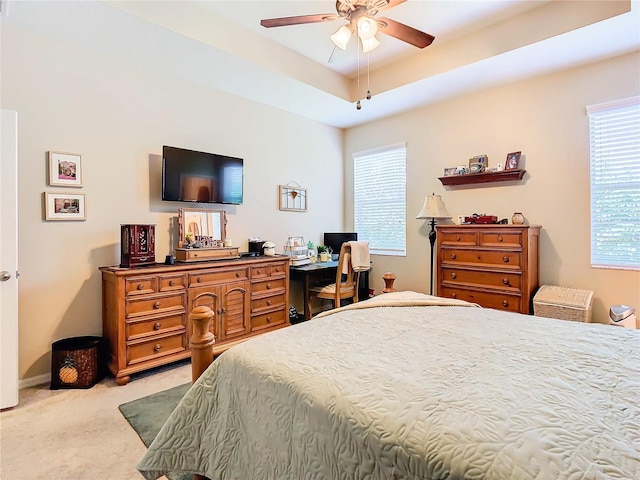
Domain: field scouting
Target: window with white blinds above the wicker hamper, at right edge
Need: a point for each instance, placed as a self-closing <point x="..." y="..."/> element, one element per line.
<point x="614" y="132"/>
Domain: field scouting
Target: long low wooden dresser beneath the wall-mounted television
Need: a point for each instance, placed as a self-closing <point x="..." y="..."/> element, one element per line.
<point x="145" y="311"/>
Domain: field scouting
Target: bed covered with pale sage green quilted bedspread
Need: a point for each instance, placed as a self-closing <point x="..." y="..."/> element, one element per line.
<point x="410" y="386"/>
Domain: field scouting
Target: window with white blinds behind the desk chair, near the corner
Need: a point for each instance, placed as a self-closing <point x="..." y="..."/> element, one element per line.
<point x="380" y="186"/>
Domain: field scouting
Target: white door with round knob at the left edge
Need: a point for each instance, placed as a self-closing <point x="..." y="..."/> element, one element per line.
<point x="9" y="260"/>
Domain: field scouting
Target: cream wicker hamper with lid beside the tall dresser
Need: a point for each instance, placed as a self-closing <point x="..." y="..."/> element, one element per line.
<point x="563" y="303"/>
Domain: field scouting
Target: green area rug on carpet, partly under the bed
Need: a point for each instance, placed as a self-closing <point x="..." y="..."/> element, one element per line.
<point x="146" y="415"/>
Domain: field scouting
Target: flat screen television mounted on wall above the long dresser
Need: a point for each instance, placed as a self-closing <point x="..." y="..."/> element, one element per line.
<point x="191" y="176"/>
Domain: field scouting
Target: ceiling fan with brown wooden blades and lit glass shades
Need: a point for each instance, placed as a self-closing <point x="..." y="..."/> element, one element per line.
<point x="360" y="15"/>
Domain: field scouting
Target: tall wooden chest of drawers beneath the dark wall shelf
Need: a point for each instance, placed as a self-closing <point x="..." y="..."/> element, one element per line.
<point x="495" y="266"/>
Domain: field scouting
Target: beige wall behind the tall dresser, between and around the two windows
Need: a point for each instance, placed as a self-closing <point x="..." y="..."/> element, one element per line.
<point x="543" y="117"/>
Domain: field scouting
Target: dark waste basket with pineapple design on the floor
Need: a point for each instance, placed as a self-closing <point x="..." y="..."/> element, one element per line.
<point x="76" y="362"/>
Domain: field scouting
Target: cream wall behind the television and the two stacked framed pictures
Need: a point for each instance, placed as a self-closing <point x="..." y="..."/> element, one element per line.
<point x="117" y="114"/>
